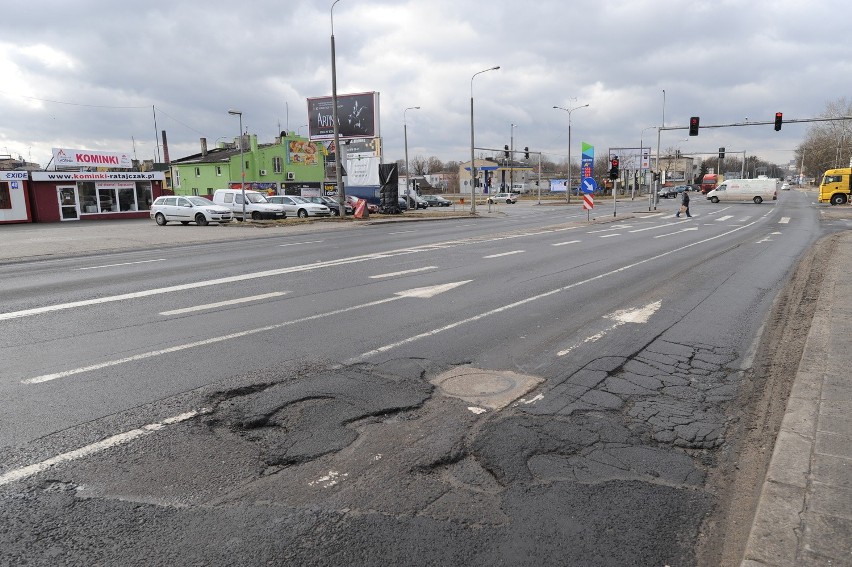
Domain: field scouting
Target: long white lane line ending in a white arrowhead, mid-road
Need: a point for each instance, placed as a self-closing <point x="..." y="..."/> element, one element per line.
<point x="424" y="292"/>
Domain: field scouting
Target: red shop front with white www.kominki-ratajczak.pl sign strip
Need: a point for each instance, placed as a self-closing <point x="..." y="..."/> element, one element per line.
<point x="71" y="196"/>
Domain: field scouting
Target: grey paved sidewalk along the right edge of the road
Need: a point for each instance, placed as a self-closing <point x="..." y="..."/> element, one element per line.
<point x="804" y="517"/>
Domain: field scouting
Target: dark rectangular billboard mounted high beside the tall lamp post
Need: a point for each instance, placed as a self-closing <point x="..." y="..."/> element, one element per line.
<point x="358" y="116"/>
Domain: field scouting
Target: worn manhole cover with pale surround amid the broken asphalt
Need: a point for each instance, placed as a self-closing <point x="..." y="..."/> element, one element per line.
<point x="488" y="388"/>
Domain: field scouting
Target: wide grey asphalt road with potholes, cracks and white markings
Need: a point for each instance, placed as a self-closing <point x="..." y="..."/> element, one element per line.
<point x="521" y="389"/>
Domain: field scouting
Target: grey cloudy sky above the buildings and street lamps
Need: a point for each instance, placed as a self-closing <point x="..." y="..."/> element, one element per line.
<point x="94" y="74"/>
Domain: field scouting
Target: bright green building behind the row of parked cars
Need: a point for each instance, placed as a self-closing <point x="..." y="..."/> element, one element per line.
<point x="292" y="165"/>
